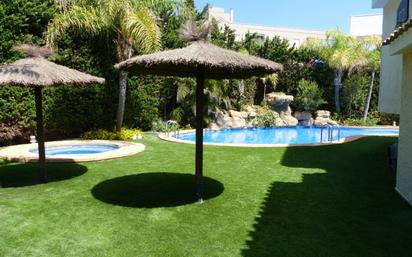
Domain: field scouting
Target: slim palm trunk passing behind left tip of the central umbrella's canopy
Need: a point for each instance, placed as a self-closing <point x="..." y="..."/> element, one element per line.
<point x="124" y="52"/>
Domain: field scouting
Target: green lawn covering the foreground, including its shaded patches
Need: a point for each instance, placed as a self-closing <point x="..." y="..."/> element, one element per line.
<point x="313" y="201"/>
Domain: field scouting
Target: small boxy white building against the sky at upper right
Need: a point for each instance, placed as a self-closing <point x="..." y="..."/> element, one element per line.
<point x="366" y="25"/>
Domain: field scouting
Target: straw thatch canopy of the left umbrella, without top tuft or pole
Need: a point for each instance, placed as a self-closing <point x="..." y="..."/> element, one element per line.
<point x="39" y="72"/>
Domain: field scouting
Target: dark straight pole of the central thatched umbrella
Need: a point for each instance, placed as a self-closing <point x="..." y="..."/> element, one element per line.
<point x="200" y="80"/>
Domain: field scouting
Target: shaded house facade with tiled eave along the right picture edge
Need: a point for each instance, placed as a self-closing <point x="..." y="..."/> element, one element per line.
<point x="396" y="82"/>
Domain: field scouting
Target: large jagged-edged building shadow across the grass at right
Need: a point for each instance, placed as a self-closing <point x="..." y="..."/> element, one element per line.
<point x="345" y="206"/>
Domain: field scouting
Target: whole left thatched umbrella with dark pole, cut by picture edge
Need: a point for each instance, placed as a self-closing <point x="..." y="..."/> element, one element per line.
<point x="37" y="72"/>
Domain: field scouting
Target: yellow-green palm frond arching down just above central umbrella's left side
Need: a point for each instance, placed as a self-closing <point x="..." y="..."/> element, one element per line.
<point x="142" y="30"/>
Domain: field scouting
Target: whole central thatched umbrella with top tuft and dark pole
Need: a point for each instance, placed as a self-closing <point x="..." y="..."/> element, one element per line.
<point x="201" y="60"/>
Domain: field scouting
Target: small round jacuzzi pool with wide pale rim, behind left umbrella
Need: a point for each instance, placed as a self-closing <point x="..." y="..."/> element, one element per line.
<point x="73" y="151"/>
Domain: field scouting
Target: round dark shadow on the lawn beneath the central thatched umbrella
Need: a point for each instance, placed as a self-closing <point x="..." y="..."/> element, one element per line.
<point x="152" y="190"/>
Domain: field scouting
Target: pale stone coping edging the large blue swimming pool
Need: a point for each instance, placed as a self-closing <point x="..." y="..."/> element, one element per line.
<point x="170" y="138"/>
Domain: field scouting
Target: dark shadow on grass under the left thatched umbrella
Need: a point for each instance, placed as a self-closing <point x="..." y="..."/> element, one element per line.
<point x="27" y="174"/>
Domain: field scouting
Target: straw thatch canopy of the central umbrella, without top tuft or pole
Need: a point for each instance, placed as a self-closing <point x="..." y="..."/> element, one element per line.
<point x="217" y="63"/>
